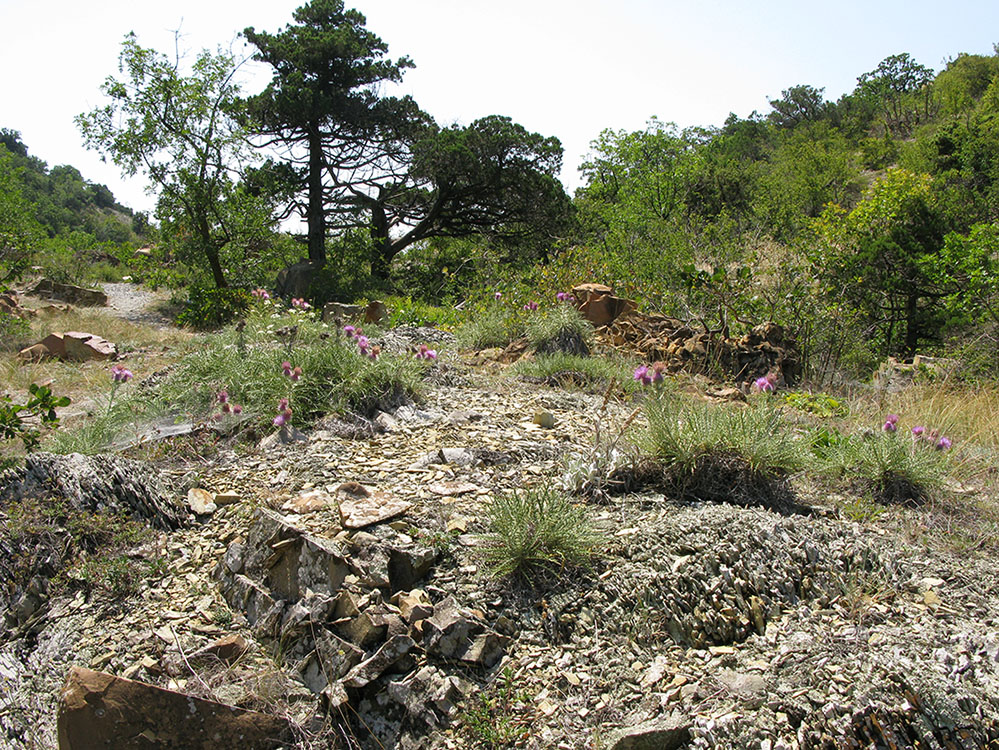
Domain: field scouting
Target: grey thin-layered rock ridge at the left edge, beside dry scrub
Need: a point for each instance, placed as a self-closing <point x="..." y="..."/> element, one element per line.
<point x="97" y="483"/>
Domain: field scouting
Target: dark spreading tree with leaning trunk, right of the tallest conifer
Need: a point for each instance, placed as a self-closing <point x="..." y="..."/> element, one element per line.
<point x="491" y="178"/>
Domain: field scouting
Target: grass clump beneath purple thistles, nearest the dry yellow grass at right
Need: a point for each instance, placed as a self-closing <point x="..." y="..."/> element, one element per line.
<point x="893" y="468"/>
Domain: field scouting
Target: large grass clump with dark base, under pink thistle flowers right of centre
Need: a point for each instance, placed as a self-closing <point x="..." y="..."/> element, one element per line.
<point x="722" y="453"/>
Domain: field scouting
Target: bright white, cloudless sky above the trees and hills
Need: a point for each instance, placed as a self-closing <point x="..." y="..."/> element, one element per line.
<point x="567" y="69"/>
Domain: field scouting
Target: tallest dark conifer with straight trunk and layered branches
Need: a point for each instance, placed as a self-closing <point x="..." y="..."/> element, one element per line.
<point x="322" y="106"/>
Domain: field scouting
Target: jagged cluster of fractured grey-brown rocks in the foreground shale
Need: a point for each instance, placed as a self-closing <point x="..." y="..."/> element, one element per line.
<point x="347" y="617"/>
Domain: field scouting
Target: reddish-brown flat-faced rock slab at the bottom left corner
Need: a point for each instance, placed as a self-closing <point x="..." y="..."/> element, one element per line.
<point x="99" y="710"/>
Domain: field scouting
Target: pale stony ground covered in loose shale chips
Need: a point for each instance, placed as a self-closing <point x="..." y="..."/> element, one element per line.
<point x="745" y="627"/>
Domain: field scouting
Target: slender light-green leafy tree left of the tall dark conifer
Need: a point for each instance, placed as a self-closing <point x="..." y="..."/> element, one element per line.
<point x="182" y="132"/>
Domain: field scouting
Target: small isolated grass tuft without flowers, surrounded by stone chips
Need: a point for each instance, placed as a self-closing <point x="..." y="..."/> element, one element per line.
<point x="536" y="531"/>
